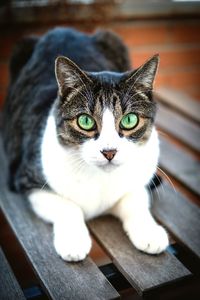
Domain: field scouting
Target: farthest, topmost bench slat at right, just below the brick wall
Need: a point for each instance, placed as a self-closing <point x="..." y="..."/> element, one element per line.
<point x="180" y="101"/>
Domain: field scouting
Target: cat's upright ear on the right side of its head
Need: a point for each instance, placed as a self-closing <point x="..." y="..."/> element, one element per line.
<point x="144" y="76"/>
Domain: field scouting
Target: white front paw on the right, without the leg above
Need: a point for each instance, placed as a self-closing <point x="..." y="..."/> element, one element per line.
<point x="149" y="239"/>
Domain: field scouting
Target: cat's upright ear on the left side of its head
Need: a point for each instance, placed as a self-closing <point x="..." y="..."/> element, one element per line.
<point x="69" y="76"/>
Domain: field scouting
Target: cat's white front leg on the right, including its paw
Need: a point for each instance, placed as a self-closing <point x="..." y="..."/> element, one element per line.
<point x="138" y="223"/>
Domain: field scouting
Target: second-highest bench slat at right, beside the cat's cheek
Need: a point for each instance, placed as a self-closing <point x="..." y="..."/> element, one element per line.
<point x="178" y="126"/>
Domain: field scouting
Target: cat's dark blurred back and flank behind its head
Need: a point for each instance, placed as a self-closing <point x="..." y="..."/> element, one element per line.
<point x="33" y="91"/>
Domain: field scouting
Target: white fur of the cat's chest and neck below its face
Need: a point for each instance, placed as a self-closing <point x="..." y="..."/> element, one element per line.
<point x="93" y="189"/>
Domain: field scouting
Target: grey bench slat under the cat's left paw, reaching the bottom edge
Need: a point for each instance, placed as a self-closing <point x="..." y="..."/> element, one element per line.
<point x="61" y="280"/>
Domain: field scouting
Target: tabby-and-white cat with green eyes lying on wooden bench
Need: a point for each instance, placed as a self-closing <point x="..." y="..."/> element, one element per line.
<point x="82" y="142"/>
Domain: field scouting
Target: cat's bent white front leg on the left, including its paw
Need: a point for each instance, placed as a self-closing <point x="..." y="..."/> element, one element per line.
<point x="71" y="237"/>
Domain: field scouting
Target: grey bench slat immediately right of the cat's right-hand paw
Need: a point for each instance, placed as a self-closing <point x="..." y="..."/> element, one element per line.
<point x="179" y="215"/>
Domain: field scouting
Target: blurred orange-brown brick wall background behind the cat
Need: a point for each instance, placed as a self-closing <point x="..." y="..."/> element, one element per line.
<point x="170" y="28"/>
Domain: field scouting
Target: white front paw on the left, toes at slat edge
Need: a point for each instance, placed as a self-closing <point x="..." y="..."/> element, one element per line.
<point x="72" y="244"/>
